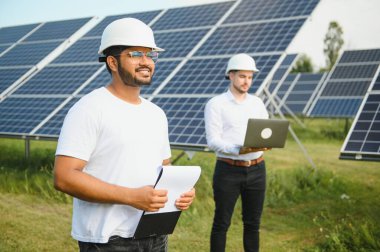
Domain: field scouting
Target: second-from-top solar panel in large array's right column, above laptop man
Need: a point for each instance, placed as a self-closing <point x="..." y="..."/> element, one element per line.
<point x="253" y="38"/>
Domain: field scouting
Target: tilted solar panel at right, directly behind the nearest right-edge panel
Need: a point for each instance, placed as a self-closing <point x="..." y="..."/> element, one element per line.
<point x="346" y="85"/>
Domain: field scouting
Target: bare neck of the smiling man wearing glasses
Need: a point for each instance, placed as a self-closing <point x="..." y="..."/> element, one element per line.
<point x="126" y="93"/>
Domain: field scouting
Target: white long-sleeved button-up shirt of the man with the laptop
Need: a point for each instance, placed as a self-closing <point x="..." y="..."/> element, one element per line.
<point x="226" y="124"/>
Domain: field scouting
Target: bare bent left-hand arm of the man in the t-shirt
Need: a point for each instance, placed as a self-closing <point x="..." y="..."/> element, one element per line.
<point x="70" y="178"/>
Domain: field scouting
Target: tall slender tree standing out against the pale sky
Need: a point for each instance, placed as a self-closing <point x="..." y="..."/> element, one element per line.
<point x="333" y="43"/>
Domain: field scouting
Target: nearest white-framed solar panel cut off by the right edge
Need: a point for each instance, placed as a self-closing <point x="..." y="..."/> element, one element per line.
<point x="363" y="140"/>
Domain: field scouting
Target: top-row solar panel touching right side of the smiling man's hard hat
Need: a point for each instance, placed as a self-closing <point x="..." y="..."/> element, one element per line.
<point x="195" y="16"/>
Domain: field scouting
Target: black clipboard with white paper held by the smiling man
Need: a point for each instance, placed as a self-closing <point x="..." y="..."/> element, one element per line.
<point x="177" y="180"/>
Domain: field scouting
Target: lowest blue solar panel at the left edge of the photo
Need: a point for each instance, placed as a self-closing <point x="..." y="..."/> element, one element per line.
<point x="22" y="115"/>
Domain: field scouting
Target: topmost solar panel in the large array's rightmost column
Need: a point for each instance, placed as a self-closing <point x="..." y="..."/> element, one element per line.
<point x="252" y="10"/>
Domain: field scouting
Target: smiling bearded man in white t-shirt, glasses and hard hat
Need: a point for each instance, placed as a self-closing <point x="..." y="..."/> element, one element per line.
<point x="112" y="145"/>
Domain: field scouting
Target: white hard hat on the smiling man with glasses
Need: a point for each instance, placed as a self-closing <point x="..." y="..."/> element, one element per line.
<point x="127" y="32"/>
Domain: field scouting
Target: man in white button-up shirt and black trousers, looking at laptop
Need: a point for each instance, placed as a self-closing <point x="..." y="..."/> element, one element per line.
<point x="239" y="170"/>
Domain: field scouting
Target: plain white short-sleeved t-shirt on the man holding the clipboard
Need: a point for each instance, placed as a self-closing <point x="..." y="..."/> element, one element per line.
<point x="123" y="144"/>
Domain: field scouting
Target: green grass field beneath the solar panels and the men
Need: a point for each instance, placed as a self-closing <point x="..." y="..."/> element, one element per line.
<point x="333" y="208"/>
